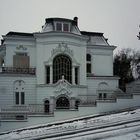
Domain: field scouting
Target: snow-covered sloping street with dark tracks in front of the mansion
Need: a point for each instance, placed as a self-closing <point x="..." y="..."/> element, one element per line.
<point x="124" y="125"/>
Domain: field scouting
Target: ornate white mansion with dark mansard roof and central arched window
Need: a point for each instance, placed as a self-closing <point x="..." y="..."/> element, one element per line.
<point x="58" y="69"/>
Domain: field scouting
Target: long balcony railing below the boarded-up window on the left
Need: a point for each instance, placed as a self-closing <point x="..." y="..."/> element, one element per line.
<point x="13" y="70"/>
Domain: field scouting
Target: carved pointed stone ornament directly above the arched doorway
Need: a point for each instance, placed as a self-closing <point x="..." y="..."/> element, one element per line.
<point x="62" y="87"/>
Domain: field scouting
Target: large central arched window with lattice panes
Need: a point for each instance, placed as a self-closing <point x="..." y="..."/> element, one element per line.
<point x="62" y="66"/>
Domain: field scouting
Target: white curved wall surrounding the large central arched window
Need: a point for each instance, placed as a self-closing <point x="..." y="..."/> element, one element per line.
<point x="46" y="44"/>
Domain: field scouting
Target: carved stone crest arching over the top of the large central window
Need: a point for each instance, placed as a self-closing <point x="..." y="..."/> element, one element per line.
<point x="62" y="48"/>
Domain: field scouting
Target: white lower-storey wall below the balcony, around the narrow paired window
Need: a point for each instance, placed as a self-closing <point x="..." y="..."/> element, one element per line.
<point x="7" y="95"/>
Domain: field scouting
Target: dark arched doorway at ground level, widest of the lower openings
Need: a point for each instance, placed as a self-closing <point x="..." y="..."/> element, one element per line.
<point x="62" y="103"/>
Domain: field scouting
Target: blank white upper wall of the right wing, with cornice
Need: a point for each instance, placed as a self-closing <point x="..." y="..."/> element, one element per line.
<point x="102" y="60"/>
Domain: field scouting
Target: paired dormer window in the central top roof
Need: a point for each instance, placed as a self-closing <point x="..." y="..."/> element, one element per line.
<point x="63" y="27"/>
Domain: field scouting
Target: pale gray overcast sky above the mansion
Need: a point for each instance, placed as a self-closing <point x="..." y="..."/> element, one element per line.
<point x="118" y="19"/>
